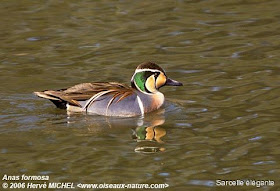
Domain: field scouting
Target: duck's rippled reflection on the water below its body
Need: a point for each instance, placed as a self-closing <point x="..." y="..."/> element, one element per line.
<point x="146" y="130"/>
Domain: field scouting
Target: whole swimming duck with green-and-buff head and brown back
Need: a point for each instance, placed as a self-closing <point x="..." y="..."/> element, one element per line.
<point x="113" y="98"/>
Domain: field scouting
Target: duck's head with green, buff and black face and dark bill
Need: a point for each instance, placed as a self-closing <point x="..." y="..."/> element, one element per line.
<point x="149" y="77"/>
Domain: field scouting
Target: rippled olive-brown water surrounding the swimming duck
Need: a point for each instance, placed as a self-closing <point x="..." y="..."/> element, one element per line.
<point x="222" y="124"/>
